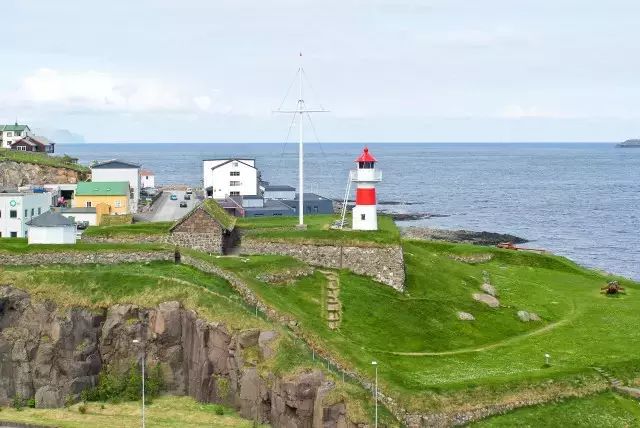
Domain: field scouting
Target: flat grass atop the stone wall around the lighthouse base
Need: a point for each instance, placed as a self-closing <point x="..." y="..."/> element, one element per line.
<point x="318" y="231"/>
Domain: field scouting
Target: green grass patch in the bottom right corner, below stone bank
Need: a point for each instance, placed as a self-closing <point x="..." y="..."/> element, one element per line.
<point x="602" y="410"/>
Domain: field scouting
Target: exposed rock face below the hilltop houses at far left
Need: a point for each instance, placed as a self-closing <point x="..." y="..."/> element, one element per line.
<point x="14" y="174"/>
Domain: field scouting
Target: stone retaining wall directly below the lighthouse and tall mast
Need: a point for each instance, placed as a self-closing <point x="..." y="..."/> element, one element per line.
<point x="384" y="264"/>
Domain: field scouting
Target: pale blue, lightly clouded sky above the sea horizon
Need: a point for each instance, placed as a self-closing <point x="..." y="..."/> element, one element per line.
<point x="388" y="70"/>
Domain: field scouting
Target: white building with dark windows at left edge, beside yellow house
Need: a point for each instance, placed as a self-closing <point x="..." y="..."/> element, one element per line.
<point x="16" y="208"/>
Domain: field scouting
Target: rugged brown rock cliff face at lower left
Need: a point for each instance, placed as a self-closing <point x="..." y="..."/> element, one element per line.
<point x="53" y="356"/>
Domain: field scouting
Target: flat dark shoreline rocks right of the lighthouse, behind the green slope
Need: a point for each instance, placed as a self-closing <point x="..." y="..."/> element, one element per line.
<point x="462" y="236"/>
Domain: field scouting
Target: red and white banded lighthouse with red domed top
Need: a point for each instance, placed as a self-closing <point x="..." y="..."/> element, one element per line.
<point x="365" y="176"/>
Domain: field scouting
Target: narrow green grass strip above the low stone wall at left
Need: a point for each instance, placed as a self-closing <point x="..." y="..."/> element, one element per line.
<point x="20" y="245"/>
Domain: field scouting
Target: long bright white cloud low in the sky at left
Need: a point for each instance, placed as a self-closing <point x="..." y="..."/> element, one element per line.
<point x="96" y="91"/>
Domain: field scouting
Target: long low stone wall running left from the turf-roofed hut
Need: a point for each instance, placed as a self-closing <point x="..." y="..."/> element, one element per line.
<point x="79" y="257"/>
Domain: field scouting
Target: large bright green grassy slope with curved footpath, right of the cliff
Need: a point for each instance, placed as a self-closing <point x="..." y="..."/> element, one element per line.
<point x="431" y="360"/>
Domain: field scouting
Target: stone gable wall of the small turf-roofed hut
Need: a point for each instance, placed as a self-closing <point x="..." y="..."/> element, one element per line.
<point x="199" y="232"/>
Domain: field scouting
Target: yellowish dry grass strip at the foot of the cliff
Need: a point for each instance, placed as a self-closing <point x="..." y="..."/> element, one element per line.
<point x="166" y="412"/>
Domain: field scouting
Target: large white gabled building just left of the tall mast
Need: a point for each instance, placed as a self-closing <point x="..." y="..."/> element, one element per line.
<point x="230" y="177"/>
